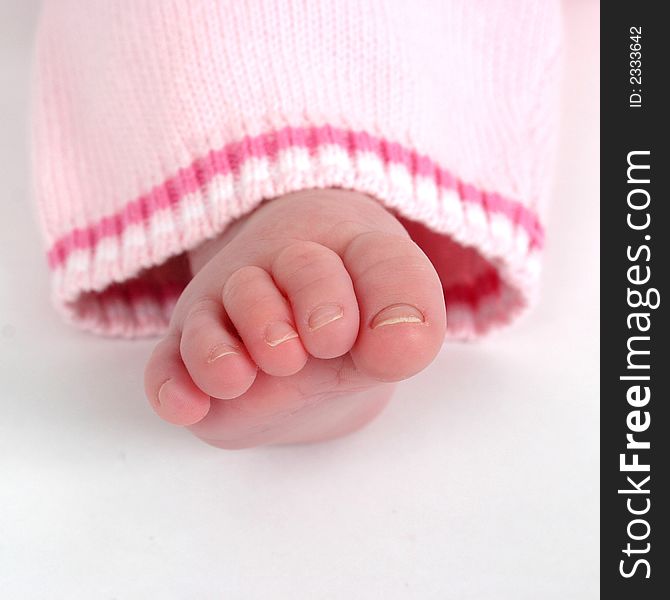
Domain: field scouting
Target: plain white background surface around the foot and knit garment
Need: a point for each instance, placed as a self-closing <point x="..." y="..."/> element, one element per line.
<point x="480" y="481"/>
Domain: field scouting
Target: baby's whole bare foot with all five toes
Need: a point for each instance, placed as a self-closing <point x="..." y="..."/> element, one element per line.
<point x="296" y="323"/>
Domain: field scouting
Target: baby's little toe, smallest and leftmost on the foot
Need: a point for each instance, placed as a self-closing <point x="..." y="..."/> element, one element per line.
<point x="169" y="387"/>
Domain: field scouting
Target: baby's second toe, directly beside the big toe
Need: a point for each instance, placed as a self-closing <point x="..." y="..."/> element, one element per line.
<point x="322" y="298"/>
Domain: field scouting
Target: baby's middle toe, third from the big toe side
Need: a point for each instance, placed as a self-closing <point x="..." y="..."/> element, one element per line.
<point x="263" y="319"/>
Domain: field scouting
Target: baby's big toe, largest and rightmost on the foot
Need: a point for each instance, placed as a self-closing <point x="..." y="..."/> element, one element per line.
<point x="401" y="302"/>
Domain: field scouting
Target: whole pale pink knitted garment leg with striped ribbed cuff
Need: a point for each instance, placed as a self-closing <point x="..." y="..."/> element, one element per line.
<point x="157" y="123"/>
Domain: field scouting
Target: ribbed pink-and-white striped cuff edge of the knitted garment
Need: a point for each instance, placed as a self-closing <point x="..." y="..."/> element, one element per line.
<point x="199" y="201"/>
